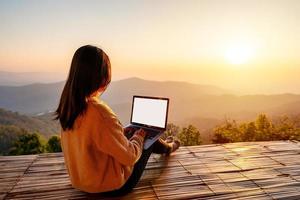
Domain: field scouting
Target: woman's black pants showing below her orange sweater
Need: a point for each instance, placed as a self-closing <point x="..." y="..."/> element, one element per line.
<point x="160" y="147"/>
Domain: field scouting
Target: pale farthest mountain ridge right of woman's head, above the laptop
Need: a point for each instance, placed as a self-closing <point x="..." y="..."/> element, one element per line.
<point x="123" y="90"/>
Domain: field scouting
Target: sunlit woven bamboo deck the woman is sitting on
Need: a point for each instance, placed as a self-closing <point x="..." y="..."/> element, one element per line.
<point x="258" y="170"/>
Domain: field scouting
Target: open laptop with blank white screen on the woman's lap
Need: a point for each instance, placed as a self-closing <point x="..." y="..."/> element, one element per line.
<point x="150" y="114"/>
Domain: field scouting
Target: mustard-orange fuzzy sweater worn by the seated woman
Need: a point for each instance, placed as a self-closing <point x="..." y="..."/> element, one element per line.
<point x="97" y="155"/>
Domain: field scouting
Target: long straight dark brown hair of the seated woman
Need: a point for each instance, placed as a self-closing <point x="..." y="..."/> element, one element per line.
<point x="90" y="70"/>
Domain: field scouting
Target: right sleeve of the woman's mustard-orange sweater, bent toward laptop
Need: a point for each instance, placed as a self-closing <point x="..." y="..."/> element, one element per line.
<point x="114" y="143"/>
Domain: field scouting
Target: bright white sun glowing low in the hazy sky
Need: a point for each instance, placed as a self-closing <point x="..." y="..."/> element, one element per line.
<point x="239" y="54"/>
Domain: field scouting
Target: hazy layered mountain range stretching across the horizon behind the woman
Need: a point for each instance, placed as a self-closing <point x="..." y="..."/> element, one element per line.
<point x="201" y="105"/>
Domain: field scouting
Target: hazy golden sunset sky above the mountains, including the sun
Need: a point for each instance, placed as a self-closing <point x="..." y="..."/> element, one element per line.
<point x="252" y="46"/>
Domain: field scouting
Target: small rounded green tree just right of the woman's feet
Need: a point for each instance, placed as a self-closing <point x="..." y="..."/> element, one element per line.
<point x="190" y="136"/>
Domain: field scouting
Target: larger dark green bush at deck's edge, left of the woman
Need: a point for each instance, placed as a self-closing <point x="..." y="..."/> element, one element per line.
<point x="28" y="143"/>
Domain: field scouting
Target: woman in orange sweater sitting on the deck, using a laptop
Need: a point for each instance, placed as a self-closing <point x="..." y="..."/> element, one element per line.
<point x="100" y="155"/>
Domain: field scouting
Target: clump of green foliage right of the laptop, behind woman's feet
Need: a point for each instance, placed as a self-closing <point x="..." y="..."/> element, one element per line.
<point x="188" y="136"/>
